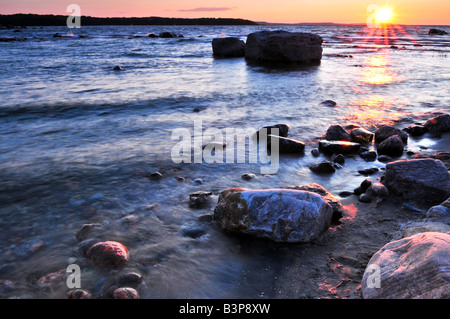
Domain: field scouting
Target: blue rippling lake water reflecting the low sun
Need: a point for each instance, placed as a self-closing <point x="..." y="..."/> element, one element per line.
<point x="78" y="141"/>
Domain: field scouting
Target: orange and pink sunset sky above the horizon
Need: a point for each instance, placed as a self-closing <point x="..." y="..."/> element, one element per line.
<point x="422" y="12"/>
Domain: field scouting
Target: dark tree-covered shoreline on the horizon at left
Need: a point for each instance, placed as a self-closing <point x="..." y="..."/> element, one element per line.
<point x="60" y="20"/>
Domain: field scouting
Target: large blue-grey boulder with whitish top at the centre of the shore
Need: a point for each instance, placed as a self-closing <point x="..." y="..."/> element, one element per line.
<point x="281" y="215"/>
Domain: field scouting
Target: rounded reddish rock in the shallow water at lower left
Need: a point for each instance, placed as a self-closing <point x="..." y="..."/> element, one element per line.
<point x="109" y="254"/>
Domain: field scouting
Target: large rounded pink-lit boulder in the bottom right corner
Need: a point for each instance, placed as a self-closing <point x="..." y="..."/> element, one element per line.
<point x="413" y="267"/>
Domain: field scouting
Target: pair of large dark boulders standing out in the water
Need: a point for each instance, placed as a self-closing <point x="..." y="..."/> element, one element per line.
<point x="272" y="47"/>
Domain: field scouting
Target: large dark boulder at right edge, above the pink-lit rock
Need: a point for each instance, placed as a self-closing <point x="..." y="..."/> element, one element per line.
<point x="424" y="180"/>
